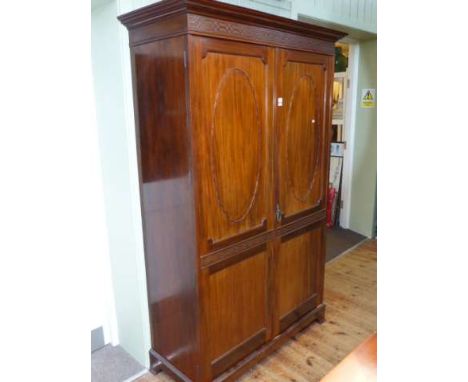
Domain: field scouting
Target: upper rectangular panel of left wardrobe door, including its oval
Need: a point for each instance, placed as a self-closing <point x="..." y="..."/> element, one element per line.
<point x="231" y="123"/>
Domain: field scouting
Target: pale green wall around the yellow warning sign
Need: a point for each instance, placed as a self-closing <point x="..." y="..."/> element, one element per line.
<point x="364" y="177"/>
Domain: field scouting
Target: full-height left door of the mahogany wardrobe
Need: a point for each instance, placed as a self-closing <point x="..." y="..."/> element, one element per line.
<point x="230" y="94"/>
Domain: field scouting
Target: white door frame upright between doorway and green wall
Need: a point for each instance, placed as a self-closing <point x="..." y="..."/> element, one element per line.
<point x="348" y="133"/>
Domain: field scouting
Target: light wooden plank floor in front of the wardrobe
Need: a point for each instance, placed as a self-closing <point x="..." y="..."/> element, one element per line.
<point x="351" y="317"/>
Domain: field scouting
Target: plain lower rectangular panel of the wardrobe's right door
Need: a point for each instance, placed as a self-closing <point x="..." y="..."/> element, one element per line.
<point x="299" y="275"/>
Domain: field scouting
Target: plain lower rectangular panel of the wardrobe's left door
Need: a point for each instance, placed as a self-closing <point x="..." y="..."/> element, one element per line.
<point x="236" y="311"/>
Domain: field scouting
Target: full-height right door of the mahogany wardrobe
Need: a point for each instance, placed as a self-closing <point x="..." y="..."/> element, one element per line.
<point x="301" y="168"/>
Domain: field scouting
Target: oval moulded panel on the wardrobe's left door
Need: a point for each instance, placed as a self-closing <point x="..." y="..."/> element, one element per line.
<point x="235" y="145"/>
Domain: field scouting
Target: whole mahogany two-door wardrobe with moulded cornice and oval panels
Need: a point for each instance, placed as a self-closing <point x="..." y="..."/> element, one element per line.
<point x="233" y="116"/>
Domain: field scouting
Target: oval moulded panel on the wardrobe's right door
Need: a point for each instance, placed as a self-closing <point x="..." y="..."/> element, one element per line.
<point x="303" y="137"/>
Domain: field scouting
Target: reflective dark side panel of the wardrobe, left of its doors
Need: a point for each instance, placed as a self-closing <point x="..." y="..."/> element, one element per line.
<point x="167" y="200"/>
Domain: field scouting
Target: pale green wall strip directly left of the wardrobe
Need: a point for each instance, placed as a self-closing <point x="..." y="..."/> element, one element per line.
<point x="121" y="202"/>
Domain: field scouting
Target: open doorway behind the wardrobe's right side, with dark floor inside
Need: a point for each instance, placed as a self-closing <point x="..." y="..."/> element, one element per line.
<point x="339" y="237"/>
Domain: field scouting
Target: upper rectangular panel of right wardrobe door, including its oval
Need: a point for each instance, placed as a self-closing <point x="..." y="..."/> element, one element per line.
<point x="302" y="132"/>
